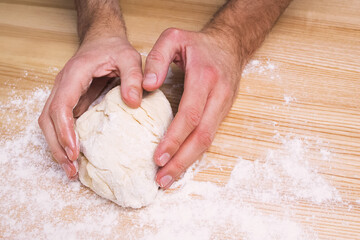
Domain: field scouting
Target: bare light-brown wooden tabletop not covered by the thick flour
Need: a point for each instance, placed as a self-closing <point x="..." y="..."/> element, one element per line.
<point x="303" y="83"/>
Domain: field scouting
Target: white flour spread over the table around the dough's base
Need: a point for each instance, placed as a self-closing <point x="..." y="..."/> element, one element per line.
<point x="37" y="201"/>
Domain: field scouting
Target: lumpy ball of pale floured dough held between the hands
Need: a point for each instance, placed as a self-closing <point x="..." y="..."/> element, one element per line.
<point x="117" y="144"/>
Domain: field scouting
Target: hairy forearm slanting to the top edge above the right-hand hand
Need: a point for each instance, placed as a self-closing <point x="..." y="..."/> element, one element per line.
<point x="245" y="23"/>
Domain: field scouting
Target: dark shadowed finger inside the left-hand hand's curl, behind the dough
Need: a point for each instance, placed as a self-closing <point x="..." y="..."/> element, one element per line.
<point x="96" y="88"/>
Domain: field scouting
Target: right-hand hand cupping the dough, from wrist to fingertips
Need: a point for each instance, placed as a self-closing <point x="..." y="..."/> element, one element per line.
<point x="212" y="73"/>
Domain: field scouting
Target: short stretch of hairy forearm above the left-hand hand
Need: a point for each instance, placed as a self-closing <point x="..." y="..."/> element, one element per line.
<point x="99" y="18"/>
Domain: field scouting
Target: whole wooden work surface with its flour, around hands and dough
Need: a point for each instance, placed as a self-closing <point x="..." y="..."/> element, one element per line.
<point x="298" y="107"/>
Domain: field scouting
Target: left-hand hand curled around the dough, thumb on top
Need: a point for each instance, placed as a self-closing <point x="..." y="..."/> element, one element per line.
<point x="99" y="59"/>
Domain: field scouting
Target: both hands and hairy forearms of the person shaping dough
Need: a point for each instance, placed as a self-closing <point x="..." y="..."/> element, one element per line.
<point x="212" y="60"/>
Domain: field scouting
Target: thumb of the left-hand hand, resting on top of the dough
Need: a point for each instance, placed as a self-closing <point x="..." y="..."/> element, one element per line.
<point x="131" y="78"/>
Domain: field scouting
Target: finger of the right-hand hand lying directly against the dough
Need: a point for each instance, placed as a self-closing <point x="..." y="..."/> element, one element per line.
<point x="192" y="104"/>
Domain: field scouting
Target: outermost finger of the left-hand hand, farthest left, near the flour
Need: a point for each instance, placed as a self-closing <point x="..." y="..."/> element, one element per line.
<point x="57" y="151"/>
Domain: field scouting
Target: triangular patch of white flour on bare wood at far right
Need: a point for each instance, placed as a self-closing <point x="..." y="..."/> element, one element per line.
<point x="284" y="174"/>
